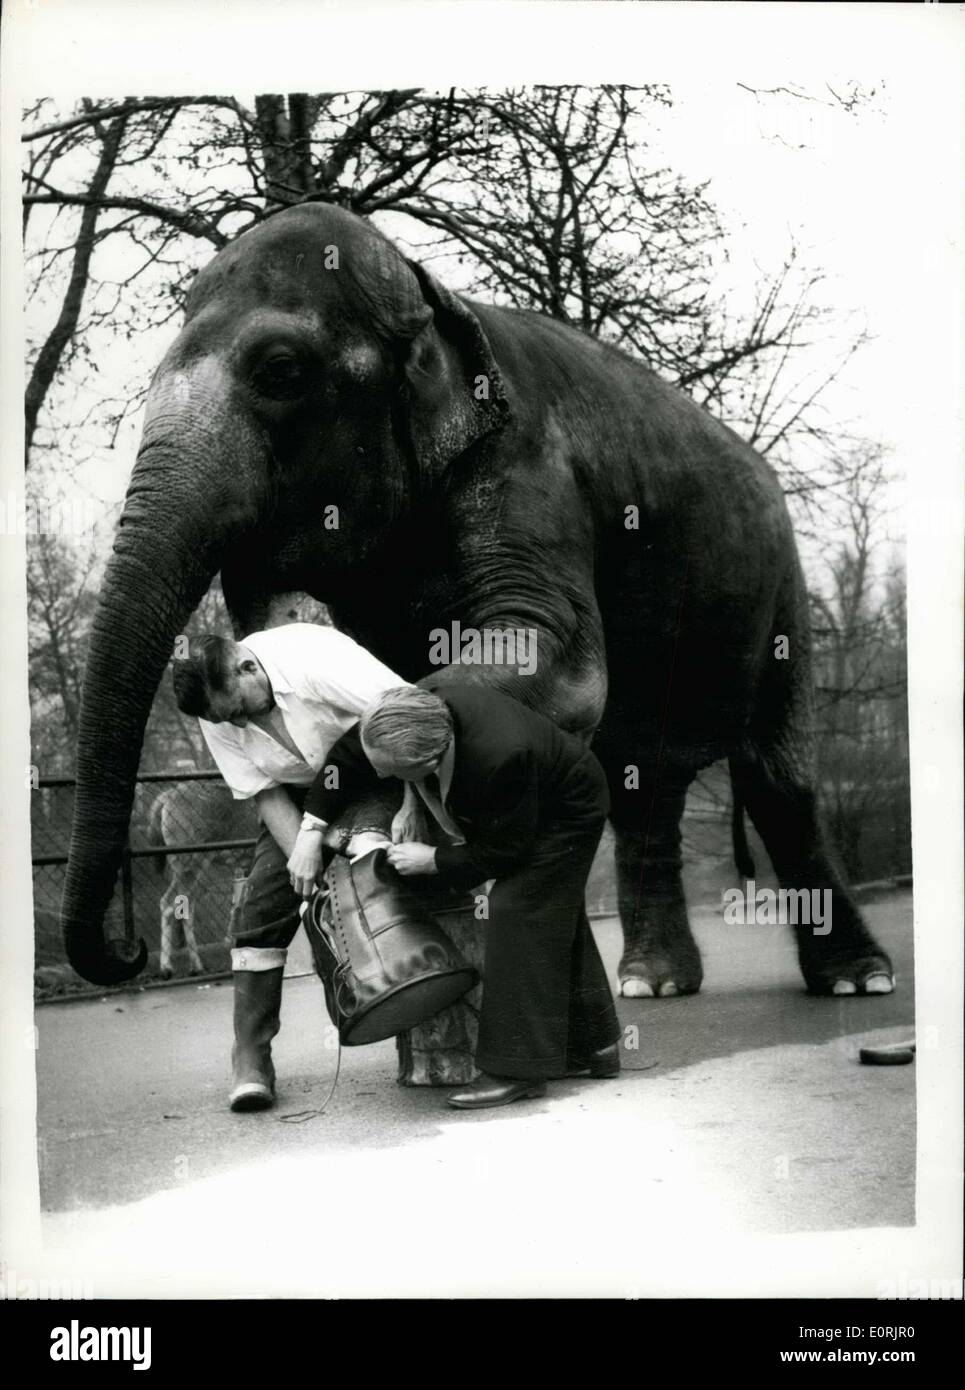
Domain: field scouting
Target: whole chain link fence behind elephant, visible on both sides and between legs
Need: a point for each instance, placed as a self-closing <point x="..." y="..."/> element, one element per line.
<point x="191" y="843"/>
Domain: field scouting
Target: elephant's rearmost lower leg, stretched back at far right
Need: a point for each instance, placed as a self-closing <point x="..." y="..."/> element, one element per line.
<point x="838" y="953"/>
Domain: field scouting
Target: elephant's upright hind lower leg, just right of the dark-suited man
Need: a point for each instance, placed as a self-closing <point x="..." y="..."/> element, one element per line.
<point x="660" y="954"/>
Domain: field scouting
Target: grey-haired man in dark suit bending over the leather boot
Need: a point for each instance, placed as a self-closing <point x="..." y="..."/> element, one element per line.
<point x="521" y="803"/>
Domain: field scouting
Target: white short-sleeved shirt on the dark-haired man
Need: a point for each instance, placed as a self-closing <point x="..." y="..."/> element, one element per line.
<point x="322" y="682"/>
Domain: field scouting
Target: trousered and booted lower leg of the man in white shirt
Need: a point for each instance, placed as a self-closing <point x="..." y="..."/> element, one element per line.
<point x="268" y="924"/>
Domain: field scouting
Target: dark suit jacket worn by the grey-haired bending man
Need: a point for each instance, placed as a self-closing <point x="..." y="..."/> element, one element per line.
<point x="515" y="775"/>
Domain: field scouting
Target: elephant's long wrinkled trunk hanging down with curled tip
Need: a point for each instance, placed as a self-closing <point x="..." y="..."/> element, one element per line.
<point x="170" y="541"/>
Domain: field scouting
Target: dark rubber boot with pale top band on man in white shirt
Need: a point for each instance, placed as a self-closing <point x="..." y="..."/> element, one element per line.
<point x="258" y="975"/>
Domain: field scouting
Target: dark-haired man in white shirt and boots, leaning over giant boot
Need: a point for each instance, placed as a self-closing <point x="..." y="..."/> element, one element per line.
<point x="270" y="708"/>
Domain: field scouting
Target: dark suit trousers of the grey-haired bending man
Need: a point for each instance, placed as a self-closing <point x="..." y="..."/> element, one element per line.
<point x="546" y="996"/>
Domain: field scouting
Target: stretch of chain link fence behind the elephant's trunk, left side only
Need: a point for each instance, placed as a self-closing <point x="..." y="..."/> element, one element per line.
<point x="184" y="869"/>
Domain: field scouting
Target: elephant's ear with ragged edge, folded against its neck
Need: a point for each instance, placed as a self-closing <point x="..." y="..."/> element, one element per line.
<point x="454" y="389"/>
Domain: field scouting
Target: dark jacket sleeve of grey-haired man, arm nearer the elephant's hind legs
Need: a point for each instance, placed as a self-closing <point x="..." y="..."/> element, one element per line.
<point x="504" y="831"/>
